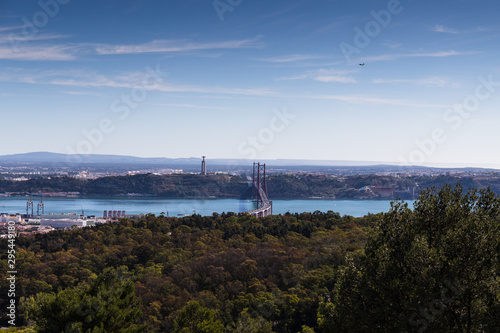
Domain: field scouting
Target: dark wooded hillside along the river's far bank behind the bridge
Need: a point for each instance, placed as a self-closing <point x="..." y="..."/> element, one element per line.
<point x="280" y="186"/>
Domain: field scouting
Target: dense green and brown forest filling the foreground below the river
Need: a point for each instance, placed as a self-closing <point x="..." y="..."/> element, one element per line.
<point x="432" y="268"/>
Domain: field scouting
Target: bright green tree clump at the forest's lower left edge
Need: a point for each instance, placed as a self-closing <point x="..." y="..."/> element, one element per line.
<point x="108" y="304"/>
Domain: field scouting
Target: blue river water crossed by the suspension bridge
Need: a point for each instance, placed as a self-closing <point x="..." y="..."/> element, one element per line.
<point x="174" y="207"/>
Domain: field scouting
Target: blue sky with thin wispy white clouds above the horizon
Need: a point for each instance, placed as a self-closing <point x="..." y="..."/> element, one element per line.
<point x="409" y="82"/>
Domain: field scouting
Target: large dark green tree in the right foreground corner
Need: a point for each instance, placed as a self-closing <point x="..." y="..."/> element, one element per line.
<point x="433" y="269"/>
